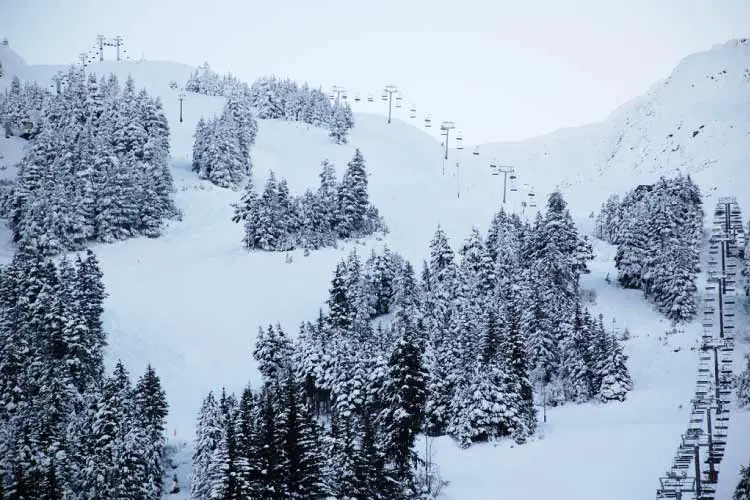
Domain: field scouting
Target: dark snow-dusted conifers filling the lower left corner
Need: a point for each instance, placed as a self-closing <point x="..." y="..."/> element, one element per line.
<point x="68" y="431"/>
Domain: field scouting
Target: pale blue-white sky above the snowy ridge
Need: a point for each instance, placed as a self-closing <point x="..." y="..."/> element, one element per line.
<point x="500" y="70"/>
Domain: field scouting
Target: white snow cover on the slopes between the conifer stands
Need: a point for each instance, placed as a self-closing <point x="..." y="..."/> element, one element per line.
<point x="191" y="301"/>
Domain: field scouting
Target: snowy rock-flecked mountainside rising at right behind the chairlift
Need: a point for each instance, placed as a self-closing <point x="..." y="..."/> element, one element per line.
<point x="696" y="121"/>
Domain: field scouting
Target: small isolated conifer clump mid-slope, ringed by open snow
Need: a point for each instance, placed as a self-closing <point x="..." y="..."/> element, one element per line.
<point x="276" y="220"/>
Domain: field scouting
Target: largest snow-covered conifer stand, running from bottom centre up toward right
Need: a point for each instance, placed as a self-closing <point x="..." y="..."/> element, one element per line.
<point x="466" y="349"/>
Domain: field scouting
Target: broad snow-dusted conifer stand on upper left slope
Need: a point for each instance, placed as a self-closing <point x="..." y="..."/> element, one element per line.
<point x="96" y="171"/>
